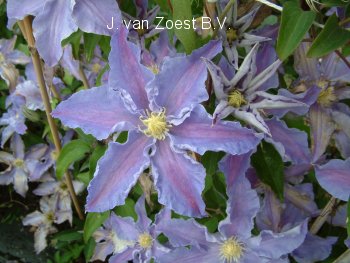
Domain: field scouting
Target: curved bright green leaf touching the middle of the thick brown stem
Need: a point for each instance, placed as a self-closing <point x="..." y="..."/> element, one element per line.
<point x="72" y="152"/>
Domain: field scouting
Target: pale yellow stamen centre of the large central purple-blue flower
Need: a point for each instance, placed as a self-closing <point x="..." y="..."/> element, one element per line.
<point x="157" y="126"/>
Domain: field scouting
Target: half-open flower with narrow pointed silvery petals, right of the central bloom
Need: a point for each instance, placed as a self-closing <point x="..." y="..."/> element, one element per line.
<point x="244" y="95"/>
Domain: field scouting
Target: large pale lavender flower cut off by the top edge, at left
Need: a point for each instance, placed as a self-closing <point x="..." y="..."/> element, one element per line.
<point x="55" y="20"/>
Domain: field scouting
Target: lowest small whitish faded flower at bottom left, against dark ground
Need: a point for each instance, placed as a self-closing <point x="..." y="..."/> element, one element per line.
<point x="42" y="222"/>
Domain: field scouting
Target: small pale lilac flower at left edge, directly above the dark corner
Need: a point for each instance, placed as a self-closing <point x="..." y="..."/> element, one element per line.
<point x="20" y="165"/>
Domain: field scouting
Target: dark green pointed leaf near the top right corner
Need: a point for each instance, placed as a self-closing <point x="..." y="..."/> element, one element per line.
<point x="329" y="39"/>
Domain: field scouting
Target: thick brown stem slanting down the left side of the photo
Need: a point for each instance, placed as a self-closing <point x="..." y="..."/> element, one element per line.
<point x="26" y="27"/>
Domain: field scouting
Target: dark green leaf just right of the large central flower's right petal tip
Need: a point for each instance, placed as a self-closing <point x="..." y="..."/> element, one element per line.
<point x="269" y="167"/>
